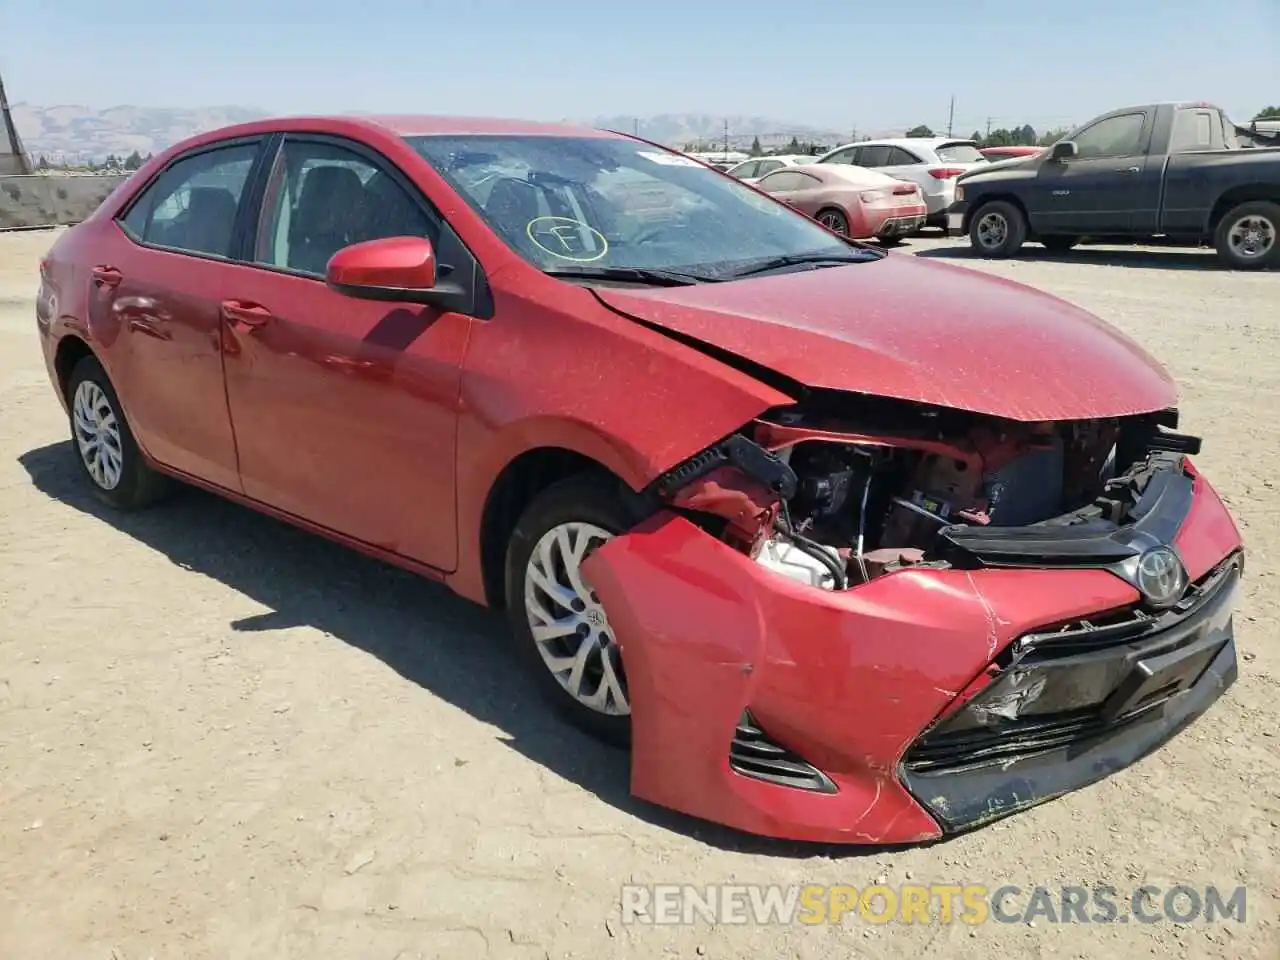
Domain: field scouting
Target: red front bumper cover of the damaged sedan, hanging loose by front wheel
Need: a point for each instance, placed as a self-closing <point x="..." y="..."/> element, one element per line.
<point x="845" y="679"/>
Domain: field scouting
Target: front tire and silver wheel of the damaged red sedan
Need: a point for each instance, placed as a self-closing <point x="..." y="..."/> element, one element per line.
<point x="563" y="633"/>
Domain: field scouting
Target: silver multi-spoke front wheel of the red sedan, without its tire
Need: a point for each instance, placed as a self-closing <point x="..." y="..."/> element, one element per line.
<point x="568" y="621"/>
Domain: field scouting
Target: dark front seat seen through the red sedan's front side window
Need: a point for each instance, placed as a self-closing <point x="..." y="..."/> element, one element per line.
<point x="330" y="217"/>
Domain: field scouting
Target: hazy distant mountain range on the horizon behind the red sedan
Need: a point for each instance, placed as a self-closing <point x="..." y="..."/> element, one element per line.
<point x="74" y="134"/>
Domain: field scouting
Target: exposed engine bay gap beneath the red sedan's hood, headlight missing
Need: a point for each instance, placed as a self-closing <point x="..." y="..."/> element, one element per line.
<point x="831" y="501"/>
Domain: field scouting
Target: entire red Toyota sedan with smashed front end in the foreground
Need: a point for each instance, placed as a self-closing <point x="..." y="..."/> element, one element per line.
<point x="848" y="546"/>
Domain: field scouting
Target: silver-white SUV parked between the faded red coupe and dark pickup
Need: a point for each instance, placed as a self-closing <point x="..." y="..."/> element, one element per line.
<point x="935" y="163"/>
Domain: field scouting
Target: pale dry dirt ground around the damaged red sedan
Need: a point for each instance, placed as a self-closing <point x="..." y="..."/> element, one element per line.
<point x="222" y="738"/>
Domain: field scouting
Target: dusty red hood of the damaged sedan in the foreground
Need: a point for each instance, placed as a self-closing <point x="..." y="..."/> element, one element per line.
<point x="917" y="331"/>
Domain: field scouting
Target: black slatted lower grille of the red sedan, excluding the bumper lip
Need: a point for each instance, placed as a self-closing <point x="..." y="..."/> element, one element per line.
<point x="1078" y="674"/>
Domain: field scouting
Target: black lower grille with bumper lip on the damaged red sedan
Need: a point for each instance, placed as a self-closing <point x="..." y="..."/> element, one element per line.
<point x="1095" y="708"/>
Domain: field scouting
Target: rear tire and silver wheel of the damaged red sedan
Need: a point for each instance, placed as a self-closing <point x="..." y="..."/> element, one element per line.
<point x="104" y="444"/>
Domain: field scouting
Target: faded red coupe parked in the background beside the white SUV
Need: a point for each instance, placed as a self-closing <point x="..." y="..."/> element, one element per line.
<point x="851" y="200"/>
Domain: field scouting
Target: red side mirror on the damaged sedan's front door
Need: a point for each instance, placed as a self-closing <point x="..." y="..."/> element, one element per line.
<point x="394" y="269"/>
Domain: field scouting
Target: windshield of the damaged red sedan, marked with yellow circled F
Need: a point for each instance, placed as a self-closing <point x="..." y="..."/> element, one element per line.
<point x="604" y="203"/>
